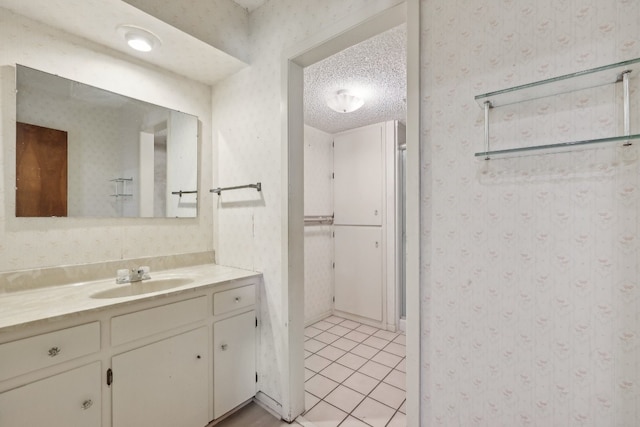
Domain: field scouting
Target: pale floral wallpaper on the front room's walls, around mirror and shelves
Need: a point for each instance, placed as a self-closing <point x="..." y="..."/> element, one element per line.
<point x="530" y="265"/>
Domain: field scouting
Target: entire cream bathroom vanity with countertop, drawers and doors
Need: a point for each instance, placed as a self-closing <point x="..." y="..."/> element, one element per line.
<point x="101" y="354"/>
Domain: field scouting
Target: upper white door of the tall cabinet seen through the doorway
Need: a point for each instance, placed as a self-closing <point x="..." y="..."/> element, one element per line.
<point x="358" y="172"/>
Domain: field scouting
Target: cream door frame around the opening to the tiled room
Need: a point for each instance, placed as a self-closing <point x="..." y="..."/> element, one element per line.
<point x="359" y="26"/>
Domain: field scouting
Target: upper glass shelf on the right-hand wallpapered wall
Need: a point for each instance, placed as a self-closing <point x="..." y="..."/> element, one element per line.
<point x="568" y="83"/>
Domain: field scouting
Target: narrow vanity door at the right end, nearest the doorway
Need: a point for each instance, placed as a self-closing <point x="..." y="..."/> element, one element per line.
<point x="234" y="362"/>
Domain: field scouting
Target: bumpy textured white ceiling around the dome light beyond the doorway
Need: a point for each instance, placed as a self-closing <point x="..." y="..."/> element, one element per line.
<point x="374" y="69"/>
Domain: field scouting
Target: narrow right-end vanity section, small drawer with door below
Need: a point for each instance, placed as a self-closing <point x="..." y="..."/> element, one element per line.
<point x="234" y="348"/>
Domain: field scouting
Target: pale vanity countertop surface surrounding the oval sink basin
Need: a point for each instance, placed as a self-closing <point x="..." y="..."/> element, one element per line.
<point x="18" y="309"/>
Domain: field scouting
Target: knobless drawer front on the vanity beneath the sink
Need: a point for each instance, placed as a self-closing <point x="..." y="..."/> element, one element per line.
<point x="133" y="326"/>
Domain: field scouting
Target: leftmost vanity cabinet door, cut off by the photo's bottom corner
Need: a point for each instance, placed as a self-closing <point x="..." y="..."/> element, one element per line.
<point x="68" y="399"/>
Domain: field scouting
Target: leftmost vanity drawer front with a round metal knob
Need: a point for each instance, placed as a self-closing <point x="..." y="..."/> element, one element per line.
<point x="41" y="351"/>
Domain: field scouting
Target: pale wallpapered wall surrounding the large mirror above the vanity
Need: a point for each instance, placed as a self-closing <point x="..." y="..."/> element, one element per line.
<point x="39" y="242"/>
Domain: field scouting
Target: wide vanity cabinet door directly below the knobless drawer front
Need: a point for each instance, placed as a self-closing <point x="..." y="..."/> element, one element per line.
<point x="163" y="384"/>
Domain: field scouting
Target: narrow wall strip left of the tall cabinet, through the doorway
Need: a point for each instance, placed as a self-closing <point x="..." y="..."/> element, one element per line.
<point x="318" y="243"/>
